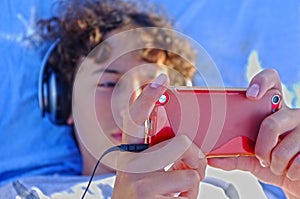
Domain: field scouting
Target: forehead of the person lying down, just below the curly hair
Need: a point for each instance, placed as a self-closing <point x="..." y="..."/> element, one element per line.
<point x="122" y="47"/>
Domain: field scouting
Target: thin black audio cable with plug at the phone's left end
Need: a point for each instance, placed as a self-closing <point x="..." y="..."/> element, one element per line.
<point x="123" y="148"/>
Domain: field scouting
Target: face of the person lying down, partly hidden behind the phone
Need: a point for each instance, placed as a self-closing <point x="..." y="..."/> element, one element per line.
<point x="107" y="82"/>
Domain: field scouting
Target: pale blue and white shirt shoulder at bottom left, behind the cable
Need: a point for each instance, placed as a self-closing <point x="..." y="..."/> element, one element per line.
<point x="61" y="187"/>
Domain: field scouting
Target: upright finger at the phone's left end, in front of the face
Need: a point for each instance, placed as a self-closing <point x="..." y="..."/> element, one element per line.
<point x="139" y="111"/>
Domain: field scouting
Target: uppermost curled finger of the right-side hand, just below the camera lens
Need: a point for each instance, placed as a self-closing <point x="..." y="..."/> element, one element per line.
<point x="271" y="128"/>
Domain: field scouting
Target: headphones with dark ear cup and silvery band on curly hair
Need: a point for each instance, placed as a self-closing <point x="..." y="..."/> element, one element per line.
<point x="54" y="93"/>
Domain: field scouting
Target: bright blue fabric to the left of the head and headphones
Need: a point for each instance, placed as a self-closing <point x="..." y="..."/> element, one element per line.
<point x="29" y="144"/>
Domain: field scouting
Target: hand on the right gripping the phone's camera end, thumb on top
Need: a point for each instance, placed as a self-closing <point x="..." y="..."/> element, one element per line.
<point x="277" y="147"/>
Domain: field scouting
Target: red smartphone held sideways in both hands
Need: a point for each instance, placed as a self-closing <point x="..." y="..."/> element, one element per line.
<point x="221" y="122"/>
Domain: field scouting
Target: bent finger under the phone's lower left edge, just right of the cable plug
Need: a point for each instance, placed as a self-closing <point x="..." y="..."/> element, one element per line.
<point x="163" y="154"/>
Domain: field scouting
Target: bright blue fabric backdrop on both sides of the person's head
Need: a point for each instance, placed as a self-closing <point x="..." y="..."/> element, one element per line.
<point x="230" y="31"/>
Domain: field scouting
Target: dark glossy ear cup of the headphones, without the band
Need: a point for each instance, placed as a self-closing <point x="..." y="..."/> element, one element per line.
<point x="58" y="98"/>
